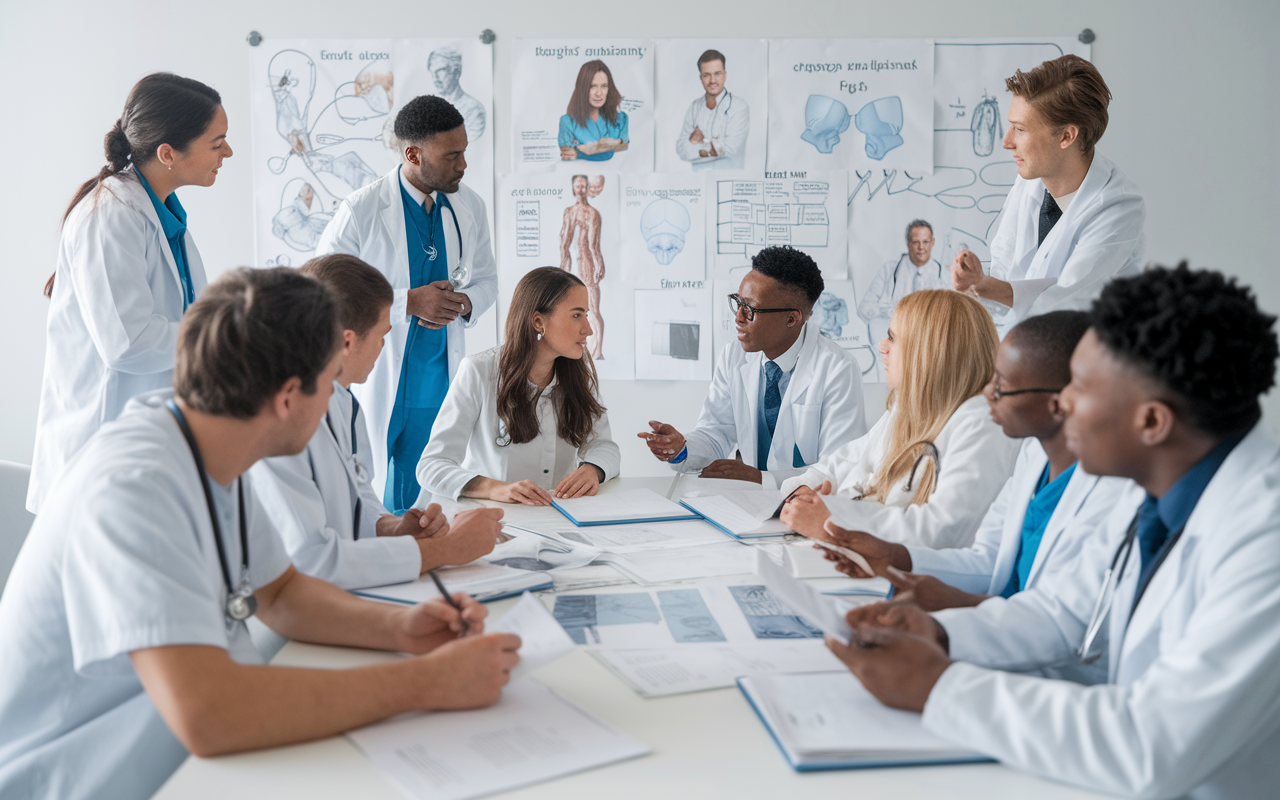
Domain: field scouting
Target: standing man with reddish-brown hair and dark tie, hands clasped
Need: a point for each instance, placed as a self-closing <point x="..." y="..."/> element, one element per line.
<point x="1073" y="221"/>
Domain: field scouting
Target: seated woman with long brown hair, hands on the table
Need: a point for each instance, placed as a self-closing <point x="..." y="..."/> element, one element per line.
<point x="524" y="422"/>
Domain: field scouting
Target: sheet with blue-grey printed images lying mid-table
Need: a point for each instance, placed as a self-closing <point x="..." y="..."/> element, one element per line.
<point x="666" y="618"/>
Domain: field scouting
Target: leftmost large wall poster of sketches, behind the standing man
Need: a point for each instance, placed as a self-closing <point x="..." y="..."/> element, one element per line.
<point x="324" y="113"/>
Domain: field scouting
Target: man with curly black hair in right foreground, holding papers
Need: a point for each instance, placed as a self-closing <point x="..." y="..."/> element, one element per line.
<point x="1183" y="596"/>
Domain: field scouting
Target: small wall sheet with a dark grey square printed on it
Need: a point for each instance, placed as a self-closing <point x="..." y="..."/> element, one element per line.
<point x="674" y="335"/>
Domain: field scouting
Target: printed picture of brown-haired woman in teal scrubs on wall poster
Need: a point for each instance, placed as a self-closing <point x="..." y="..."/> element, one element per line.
<point x="593" y="129"/>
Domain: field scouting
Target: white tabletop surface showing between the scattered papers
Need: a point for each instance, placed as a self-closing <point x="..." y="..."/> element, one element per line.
<point x="705" y="746"/>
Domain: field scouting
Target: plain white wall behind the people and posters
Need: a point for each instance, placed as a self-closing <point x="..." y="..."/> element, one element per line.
<point x="1194" y="122"/>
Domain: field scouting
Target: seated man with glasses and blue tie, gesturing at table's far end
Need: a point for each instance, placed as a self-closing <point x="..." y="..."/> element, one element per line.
<point x="785" y="396"/>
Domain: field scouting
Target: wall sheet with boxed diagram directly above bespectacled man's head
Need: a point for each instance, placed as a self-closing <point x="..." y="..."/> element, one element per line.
<point x="803" y="209"/>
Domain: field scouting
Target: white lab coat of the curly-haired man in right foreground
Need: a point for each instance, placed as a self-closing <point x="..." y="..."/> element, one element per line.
<point x="1194" y="707"/>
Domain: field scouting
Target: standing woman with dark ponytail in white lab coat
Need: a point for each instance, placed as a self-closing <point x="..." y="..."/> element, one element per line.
<point x="127" y="268"/>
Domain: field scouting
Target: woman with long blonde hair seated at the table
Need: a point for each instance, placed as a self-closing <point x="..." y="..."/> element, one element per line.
<point x="929" y="470"/>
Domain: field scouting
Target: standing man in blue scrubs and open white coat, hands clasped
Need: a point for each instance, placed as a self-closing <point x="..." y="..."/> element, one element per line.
<point x="429" y="236"/>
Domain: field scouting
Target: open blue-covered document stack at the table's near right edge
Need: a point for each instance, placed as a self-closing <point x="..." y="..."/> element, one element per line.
<point x="828" y="721"/>
